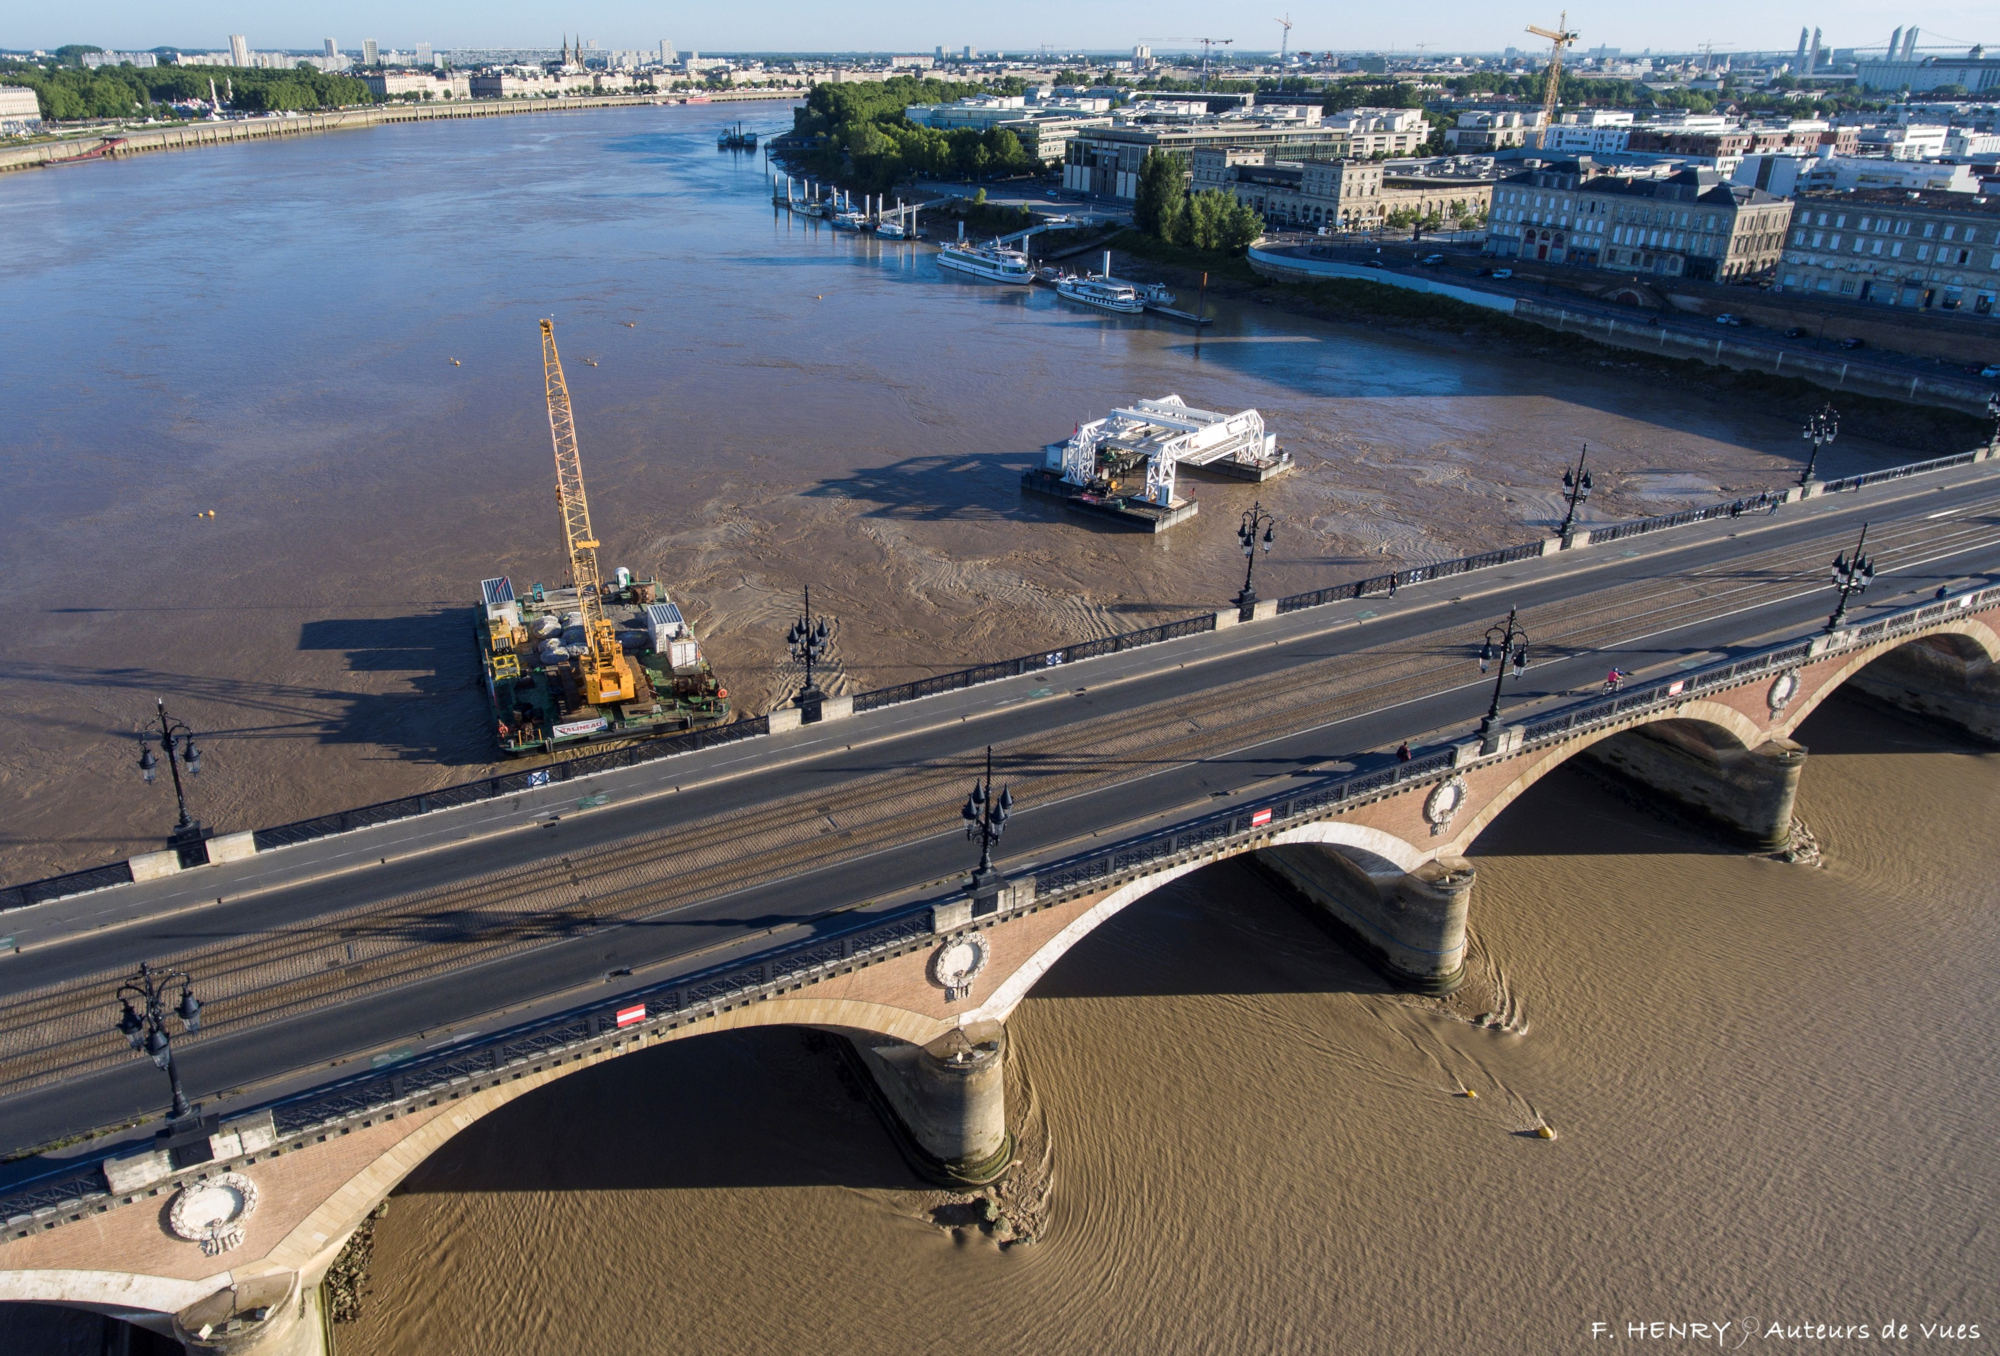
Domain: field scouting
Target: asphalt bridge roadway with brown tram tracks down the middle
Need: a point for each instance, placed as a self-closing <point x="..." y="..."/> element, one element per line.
<point x="411" y="953"/>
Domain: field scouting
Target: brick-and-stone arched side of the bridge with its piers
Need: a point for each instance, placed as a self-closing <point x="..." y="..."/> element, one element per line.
<point x="229" y="1255"/>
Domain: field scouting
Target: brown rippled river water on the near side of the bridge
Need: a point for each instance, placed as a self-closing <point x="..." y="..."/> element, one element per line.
<point x="1773" y="1091"/>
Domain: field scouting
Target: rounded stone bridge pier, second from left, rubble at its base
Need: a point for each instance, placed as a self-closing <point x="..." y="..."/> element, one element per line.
<point x="951" y="1099"/>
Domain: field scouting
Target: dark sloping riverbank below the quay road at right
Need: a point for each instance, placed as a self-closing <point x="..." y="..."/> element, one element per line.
<point x="1465" y="329"/>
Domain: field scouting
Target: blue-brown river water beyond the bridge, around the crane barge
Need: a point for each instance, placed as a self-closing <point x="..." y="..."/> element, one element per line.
<point x="331" y="343"/>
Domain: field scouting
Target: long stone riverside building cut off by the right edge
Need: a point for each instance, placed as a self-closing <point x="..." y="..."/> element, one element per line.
<point x="1923" y="251"/>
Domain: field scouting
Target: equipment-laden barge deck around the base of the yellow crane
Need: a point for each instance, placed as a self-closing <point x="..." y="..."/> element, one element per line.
<point x="529" y="649"/>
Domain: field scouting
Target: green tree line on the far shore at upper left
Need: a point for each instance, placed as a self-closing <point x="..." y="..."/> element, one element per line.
<point x="73" y="95"/>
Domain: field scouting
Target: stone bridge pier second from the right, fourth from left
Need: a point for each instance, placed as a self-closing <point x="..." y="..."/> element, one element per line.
<point x="1747" y="793"/>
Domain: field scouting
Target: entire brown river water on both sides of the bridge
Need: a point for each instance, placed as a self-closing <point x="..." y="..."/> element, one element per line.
<point x="1773" y="1085"/>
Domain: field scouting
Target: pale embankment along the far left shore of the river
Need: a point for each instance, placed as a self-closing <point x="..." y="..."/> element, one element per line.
<point x="195" y="135"/>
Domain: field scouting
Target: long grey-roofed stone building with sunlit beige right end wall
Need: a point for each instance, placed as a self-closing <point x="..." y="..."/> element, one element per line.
<point x="1689" y="225"/>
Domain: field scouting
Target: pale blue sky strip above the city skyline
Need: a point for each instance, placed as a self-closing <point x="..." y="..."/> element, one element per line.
<point x="1015" y="25"/>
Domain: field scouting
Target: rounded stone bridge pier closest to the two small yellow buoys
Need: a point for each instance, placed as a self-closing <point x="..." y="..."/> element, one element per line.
<point x="1409" y="925"/>
